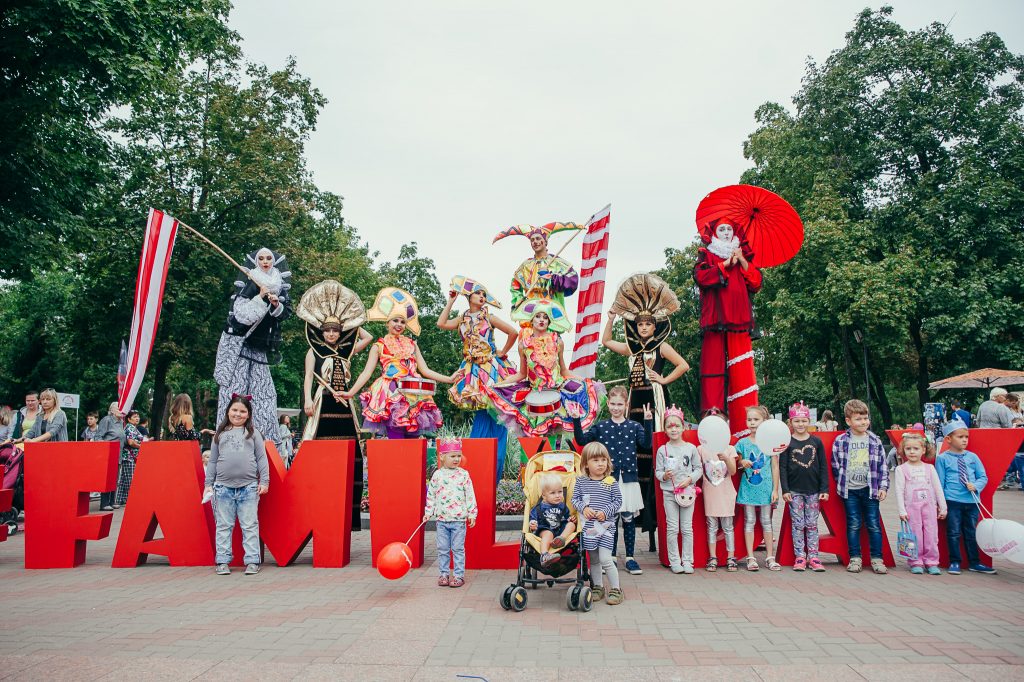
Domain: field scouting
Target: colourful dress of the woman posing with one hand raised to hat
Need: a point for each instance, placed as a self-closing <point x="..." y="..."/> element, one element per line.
<point x="480" y="365"/>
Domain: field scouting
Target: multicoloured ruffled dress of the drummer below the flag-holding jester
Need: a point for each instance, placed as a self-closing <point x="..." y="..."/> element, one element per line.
<point x="509" y="403"/>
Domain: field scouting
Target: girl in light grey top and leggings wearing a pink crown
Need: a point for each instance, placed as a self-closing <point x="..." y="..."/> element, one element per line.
<point x="677" y="467"/>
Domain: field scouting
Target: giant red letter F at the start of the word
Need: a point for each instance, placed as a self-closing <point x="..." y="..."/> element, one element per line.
<point x="59" y="478"/>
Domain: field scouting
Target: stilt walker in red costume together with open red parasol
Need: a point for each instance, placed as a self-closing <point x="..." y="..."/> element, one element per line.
<point x="744" y="229"/>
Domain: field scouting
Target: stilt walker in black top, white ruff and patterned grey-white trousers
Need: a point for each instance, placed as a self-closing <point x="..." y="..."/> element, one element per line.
<point x="252" y="336"/>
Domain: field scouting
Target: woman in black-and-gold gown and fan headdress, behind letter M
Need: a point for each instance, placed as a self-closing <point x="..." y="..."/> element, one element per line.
<point x="334" y="316"/>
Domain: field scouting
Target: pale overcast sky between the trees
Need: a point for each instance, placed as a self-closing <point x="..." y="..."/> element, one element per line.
<point x="450" y="120"/>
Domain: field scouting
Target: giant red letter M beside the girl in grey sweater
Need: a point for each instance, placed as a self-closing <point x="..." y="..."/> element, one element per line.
<point x="311" y="501"/>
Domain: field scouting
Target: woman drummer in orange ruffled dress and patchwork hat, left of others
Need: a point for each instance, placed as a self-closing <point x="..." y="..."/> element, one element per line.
<point x="388" y="410"/>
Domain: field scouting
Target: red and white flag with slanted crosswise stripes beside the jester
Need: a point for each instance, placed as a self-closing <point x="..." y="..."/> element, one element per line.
<point x="595" y="263"/>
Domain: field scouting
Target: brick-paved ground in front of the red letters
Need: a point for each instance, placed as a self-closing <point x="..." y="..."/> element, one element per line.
<point x="96" y="623"/>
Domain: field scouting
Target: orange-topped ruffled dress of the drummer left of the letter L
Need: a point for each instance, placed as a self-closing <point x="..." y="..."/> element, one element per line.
<point x="385" y="406"/>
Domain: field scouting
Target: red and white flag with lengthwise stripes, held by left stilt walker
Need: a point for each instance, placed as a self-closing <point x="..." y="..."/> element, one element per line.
<point x="153" y="266"/>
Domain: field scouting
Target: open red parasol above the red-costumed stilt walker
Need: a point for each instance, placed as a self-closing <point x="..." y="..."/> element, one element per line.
<point x="764" y="220"/>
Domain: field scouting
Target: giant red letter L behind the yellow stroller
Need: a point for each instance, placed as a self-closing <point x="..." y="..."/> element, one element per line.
<point x="481" y="460"/>
